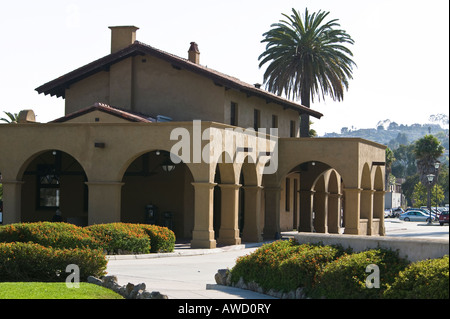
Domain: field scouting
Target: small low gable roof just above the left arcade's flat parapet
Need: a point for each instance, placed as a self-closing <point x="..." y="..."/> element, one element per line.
<point x="126" y="115"/>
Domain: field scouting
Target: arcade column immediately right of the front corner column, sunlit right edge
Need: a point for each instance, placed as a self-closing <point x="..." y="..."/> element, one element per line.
<point x="229" y="226"/>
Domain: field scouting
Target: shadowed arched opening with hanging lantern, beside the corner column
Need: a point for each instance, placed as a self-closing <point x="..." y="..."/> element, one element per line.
<point x="157" y="191"/>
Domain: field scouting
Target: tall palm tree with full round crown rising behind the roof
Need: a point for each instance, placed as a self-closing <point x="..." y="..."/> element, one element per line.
<point x="307" y="57"/>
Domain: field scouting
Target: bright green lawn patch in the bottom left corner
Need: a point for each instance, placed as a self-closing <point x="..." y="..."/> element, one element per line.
<point x="54" y="290"/>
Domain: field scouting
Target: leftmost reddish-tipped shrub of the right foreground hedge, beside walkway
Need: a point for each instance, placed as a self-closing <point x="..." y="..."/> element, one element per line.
<point x="283" y="265"/>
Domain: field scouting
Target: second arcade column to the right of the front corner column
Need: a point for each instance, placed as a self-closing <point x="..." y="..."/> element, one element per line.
<point x="252" y="212"/>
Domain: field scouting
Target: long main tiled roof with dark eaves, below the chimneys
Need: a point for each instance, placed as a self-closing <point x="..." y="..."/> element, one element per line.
<point x="58" y="86"/>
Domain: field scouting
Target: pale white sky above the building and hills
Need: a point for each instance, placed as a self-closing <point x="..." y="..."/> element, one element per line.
<point x="401" y="49"/>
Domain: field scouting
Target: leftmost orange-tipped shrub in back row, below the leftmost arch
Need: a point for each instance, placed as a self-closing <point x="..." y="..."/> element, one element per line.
<point x="48" y="234"/>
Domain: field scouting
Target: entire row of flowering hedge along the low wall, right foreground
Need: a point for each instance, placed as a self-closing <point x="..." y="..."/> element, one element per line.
<point x="331" y="272"/>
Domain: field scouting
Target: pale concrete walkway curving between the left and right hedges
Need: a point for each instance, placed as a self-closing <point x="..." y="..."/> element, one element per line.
<point x="184" y="274"/>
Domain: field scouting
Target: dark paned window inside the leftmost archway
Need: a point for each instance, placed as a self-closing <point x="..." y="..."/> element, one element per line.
<point x="48" y="186"/>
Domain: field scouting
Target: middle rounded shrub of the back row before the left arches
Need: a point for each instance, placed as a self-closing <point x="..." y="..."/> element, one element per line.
<point x="116" y="237"/>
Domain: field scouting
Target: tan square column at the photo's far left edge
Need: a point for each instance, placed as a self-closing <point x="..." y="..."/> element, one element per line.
<point x="12" y="197"/>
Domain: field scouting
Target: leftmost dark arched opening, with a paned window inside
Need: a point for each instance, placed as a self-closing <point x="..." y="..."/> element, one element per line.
<point x="54" y="180"/>
